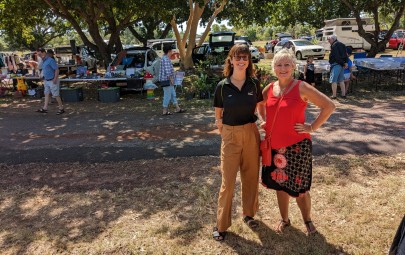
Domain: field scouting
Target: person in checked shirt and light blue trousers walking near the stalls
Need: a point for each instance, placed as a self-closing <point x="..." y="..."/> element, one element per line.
<point x="166" y="78"/>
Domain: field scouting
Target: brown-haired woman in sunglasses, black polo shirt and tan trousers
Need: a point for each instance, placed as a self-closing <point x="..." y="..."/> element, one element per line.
<point x="235" y="105"/>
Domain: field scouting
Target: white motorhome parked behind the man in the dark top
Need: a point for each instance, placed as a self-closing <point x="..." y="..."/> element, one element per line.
<point x="346" y="31"/>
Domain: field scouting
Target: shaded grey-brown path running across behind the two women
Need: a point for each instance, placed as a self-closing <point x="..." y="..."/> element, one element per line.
<point x="94" y="132"/>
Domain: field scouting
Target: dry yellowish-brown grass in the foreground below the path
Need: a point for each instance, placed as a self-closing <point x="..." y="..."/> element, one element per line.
<point x="167" y="206"/>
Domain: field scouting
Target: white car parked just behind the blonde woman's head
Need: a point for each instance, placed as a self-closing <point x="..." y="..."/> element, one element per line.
<point x="302" y="48"/>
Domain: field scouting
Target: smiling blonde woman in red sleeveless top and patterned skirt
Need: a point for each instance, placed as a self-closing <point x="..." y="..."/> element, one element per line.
<point x="283" y="109"/>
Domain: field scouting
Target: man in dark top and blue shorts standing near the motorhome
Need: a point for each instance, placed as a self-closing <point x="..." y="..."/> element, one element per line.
<point x="338" y="62"/>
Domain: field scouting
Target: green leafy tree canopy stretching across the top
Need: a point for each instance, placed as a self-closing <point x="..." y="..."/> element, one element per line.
<point x="99" y="24"/>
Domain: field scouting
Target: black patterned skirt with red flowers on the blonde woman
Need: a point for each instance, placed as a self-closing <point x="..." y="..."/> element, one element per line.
<point x="291" y="169"/>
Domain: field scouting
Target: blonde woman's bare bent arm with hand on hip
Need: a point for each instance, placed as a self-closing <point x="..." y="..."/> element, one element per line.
<point x="309" y="93"/>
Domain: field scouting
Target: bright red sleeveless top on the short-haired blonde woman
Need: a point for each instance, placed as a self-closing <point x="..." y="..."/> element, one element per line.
<point x="291" y="111"/>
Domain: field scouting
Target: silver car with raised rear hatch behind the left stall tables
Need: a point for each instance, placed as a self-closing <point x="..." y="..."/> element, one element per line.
<point x="132" y="63"/>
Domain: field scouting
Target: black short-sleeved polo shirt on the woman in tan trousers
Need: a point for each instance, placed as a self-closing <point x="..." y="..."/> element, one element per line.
<point x="238" y="106"/>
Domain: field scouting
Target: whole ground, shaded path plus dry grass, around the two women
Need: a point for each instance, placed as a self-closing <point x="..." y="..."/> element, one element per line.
<point x="123" y="179"/>
